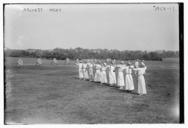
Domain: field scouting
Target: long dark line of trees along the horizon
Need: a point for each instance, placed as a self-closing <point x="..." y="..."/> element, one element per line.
<point x="81" y="53"/>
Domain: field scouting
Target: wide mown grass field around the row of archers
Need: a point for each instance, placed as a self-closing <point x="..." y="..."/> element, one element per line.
<point x="53" y="94"/>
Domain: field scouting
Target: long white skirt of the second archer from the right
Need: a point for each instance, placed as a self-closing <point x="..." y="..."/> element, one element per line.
<point x="129" y="84"/>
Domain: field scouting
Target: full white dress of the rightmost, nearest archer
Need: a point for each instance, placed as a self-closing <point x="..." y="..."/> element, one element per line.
<point x="141" y="80"/>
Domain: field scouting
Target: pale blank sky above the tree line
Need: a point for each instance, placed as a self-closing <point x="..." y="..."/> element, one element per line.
<point x="110" y="26"/>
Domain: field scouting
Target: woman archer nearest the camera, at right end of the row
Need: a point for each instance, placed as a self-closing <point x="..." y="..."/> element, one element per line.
<point x="140" y="71"/>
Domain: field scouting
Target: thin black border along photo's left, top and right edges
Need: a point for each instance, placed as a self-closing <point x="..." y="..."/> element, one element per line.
<point x="181" y="48"/>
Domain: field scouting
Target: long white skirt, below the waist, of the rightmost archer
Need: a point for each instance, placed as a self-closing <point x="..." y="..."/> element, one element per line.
<point x="141" y="85"/>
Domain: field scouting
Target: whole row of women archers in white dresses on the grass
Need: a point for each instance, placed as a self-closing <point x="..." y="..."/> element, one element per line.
<point x="114" y="75"/>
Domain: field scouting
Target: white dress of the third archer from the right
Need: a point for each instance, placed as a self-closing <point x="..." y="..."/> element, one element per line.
<point x="121" y="82"/>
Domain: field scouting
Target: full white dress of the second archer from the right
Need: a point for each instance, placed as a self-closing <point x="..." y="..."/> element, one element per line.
<point x="129" y="84"/>
